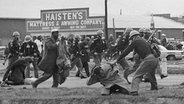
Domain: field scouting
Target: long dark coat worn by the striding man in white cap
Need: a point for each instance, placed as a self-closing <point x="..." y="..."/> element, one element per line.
<point x="48" y="62"/>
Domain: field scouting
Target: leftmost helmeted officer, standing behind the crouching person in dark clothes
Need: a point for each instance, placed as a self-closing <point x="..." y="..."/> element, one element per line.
<point x="14" y="48"/>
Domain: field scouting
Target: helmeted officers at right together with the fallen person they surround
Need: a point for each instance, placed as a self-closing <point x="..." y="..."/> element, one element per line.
<point x="146" y="61"/>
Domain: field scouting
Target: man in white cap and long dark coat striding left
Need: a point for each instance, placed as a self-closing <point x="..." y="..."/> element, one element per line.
<point x="48" y="63"/>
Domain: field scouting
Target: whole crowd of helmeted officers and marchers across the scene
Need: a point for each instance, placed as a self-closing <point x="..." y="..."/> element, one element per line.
<point x="57" y="55"/>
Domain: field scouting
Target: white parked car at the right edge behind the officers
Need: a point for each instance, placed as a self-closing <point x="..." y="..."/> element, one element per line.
<point x="171" y="54"/>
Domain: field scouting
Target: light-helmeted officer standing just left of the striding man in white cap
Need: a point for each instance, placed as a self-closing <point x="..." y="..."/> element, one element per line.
<point x="30" y="49"/>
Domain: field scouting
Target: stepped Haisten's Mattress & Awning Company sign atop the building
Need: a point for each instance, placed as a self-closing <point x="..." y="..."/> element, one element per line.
<point x="65" y="20"/>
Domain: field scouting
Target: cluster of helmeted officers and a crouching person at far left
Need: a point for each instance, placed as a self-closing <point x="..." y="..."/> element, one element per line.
<point x="20" y="55"/>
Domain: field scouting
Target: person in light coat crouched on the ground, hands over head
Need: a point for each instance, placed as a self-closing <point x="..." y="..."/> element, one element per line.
<point x="109" y="77"/>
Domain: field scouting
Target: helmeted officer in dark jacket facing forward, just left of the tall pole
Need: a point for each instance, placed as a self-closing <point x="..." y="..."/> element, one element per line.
<point x="97" y="48"/>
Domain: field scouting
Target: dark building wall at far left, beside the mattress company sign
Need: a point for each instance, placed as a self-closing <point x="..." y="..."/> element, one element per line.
<point x="8" y="26"/>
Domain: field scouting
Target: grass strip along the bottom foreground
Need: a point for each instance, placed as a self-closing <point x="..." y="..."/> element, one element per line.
<point x="168" y="95"/>
